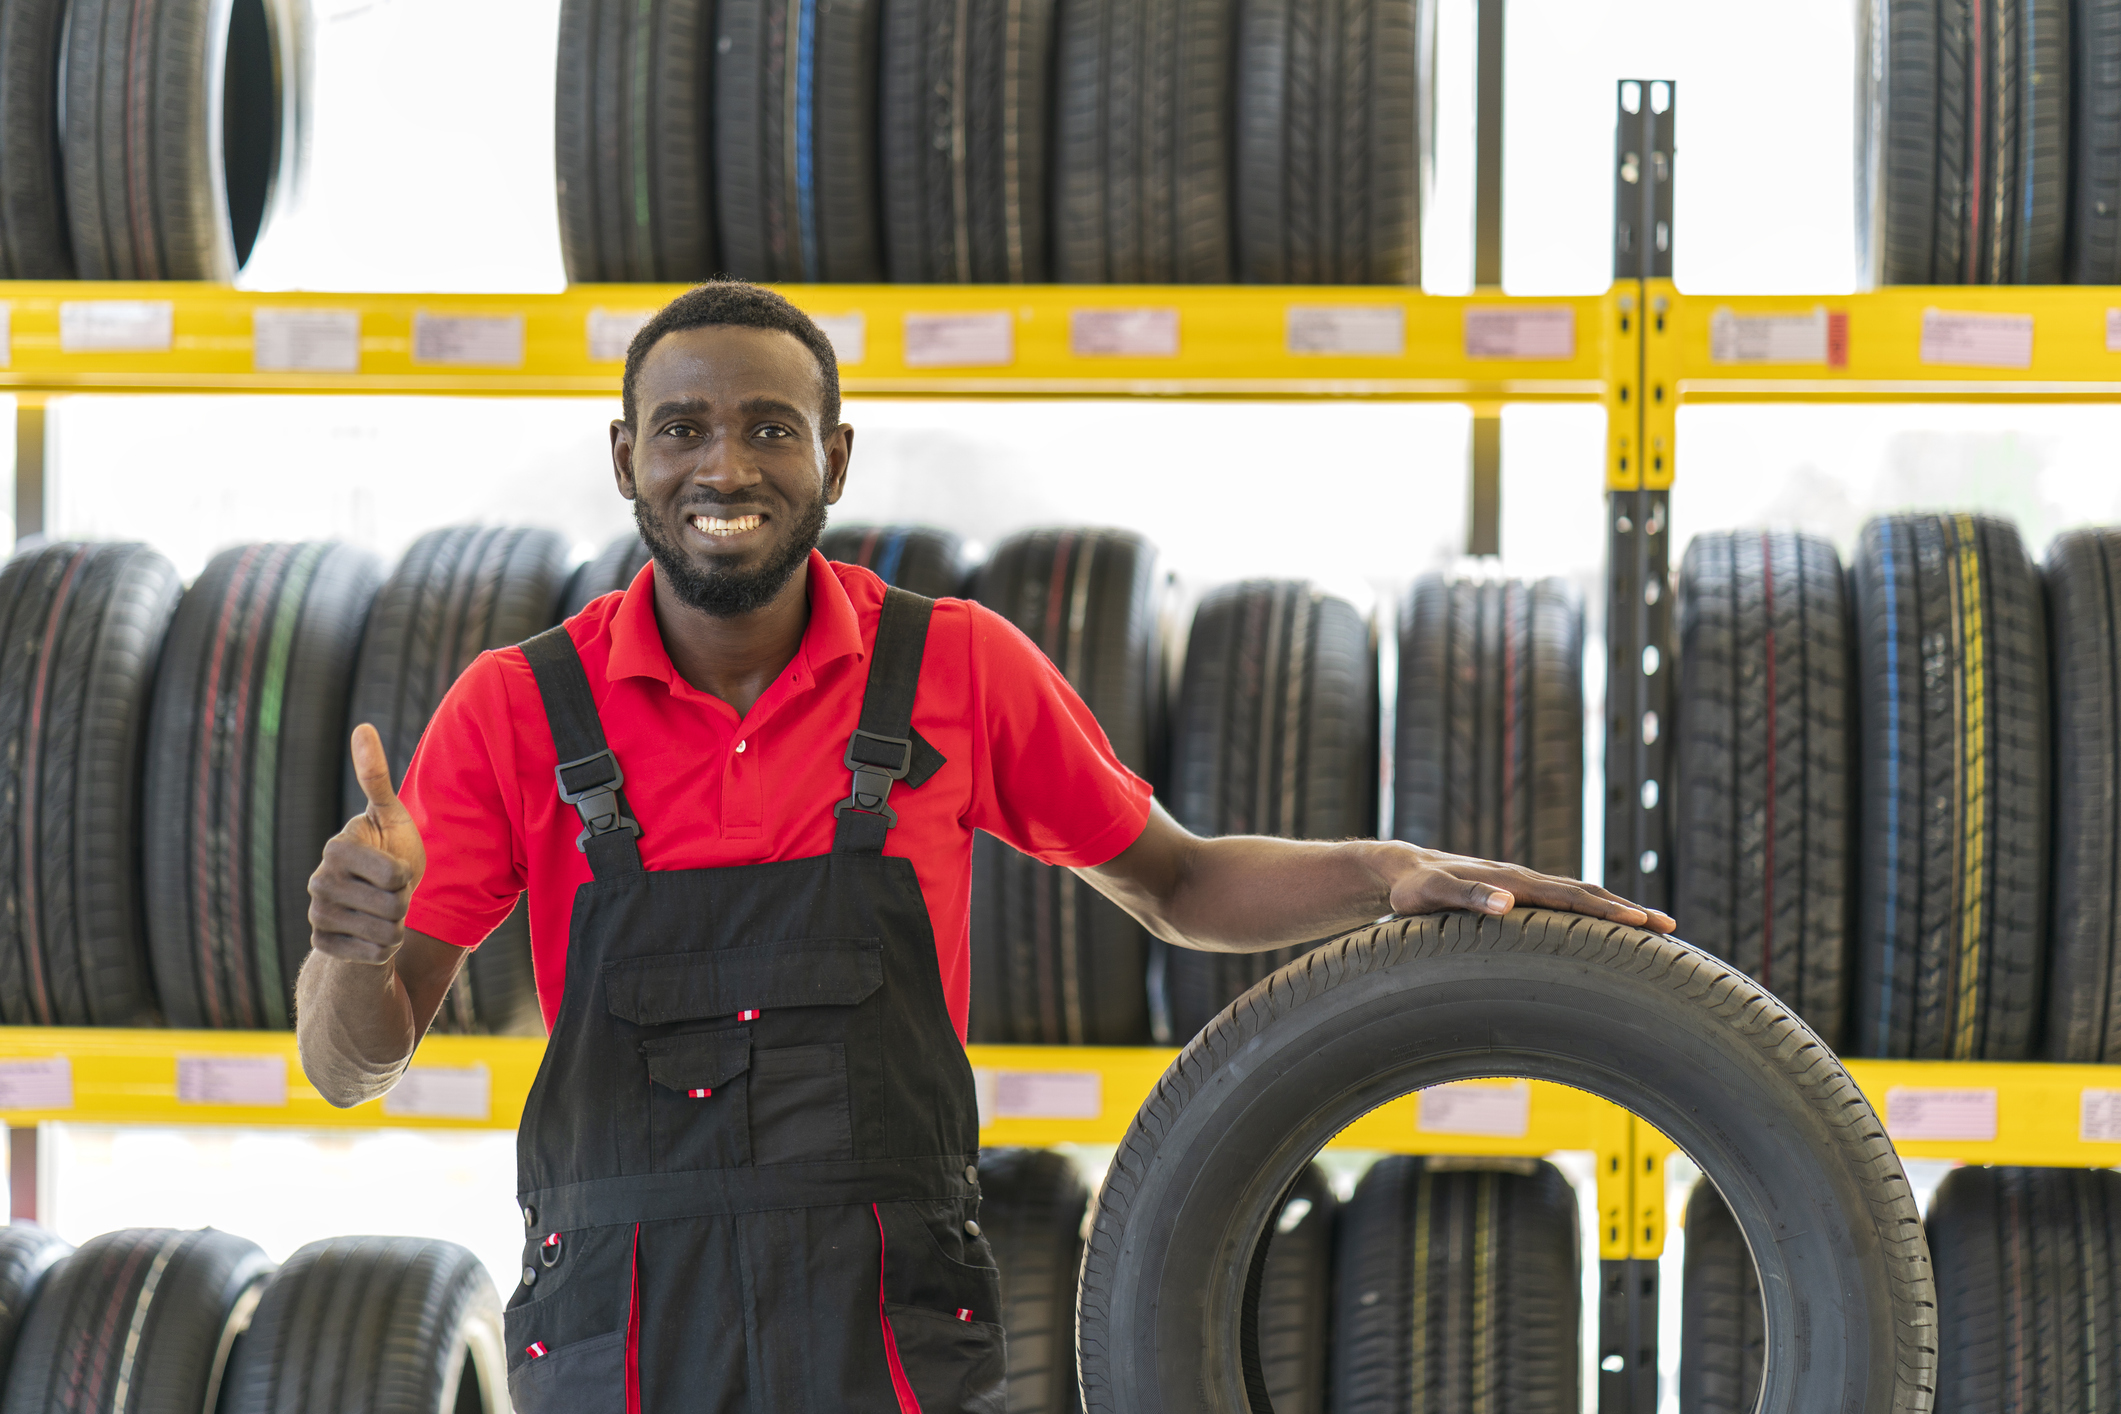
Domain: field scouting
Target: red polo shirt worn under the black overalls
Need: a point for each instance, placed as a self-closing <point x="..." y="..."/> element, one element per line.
<point x="1026" y="762"/>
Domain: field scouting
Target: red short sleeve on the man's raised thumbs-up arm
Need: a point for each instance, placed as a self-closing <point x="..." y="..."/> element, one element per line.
<point x="461" y="794"/>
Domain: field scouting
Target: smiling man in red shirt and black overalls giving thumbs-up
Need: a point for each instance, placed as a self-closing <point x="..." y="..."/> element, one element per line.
<point x="741" y="798"/>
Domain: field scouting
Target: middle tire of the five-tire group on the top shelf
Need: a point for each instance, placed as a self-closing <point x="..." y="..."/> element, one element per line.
<point x="964" y="141"/>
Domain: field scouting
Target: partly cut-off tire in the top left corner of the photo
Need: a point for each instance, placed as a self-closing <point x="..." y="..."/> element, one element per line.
<point x="35" y="241"/>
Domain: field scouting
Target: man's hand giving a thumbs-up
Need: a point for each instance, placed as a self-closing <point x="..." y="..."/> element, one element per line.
<point x="364" y="885"/>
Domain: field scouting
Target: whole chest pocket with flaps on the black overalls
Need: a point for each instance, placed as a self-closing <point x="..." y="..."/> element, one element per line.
<point x="771" y="1091"/>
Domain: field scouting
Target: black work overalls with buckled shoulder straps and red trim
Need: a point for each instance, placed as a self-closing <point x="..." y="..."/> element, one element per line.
<point x="748" y="1163"/>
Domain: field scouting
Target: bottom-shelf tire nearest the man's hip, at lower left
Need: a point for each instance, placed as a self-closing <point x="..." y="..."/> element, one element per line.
<point x="372" y="1324"/>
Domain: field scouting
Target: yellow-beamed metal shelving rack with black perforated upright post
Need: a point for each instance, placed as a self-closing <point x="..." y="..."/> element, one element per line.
<point x="1643" y="349"/>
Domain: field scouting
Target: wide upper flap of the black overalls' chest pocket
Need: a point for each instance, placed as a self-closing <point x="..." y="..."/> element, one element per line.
<point x="807" y="972"/>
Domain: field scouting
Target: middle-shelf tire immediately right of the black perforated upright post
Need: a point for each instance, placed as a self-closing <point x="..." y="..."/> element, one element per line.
<point x="1766" y="775"/>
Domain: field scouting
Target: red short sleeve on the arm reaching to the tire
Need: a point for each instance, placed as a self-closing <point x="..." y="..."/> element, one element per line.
<point x="1051" y="788"/>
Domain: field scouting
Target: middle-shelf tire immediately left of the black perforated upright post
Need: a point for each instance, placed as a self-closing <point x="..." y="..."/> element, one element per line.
<point x="1492" y="722"/>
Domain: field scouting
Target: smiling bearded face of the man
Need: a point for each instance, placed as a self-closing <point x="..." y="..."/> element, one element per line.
<point x="729" y="467"/>
